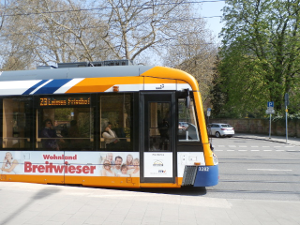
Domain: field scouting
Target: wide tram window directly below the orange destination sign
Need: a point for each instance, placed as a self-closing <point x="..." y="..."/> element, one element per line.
<point x="65" y="128"/>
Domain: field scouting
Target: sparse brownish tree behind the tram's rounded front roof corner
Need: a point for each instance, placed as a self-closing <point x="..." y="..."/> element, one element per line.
<point x="193" y="50"/>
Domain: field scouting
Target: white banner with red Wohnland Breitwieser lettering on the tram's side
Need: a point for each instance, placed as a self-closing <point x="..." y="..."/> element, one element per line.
<point x="120" y="164"/>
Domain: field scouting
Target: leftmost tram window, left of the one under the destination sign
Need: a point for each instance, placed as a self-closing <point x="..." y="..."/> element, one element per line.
<point x="16" y="123"/>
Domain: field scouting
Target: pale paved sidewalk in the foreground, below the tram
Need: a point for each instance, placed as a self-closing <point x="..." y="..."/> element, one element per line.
<point x="37" y="204"/>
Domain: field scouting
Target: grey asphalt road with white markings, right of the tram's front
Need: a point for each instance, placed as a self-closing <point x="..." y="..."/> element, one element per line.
<point x="257" y="169"/>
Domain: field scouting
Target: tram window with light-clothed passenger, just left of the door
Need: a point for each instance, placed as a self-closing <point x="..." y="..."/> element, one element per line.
<point x="115" y="122"/>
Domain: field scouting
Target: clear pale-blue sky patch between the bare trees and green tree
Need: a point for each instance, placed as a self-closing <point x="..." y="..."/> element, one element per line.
<point x="210" y="9"/>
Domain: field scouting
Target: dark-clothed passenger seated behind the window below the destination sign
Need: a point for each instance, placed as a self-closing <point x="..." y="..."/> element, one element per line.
<point x="49" y="133"/>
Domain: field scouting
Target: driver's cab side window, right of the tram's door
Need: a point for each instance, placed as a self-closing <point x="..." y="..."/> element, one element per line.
<point x="187" y="125"/>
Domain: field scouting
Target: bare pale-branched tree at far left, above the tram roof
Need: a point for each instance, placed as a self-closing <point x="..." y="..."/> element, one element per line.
<point x="53" y="32"/>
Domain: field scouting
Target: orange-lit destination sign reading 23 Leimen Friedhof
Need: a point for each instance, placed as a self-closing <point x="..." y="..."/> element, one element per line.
<point x="65" y="101"/>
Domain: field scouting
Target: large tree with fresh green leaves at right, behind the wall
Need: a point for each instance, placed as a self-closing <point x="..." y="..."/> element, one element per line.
<point x="260" y="59"/>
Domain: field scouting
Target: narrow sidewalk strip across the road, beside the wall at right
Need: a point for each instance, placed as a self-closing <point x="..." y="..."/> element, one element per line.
<point x="279" y="139"/>
